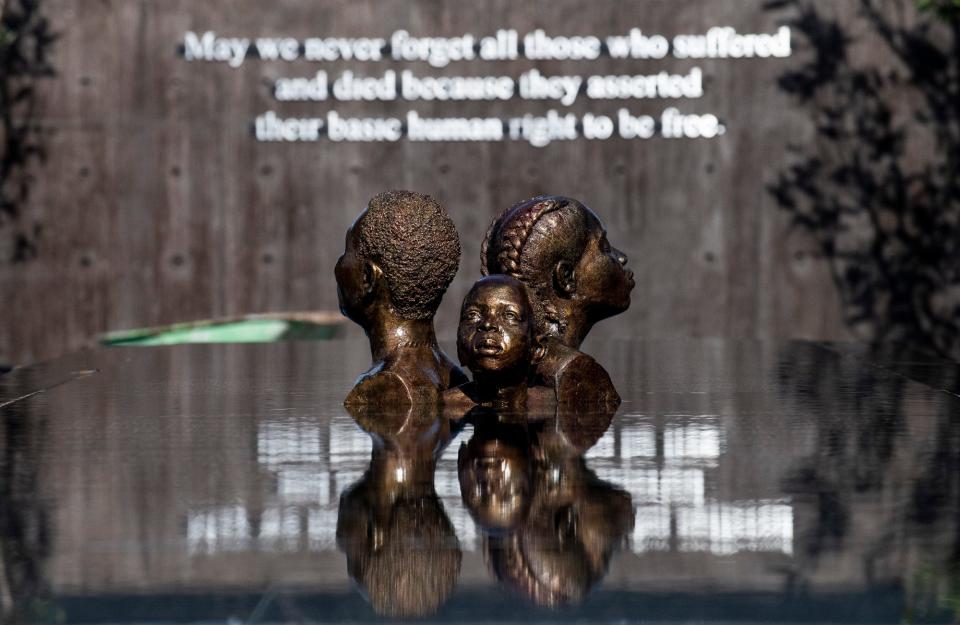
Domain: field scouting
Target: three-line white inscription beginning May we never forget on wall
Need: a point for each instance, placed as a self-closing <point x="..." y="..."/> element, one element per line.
<point x="560" y="90"/>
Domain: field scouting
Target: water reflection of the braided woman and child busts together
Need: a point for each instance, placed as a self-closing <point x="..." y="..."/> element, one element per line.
<point x="550" y="524"/>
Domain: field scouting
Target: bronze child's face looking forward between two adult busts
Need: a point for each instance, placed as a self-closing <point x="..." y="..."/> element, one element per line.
<point x="495" y="326"/>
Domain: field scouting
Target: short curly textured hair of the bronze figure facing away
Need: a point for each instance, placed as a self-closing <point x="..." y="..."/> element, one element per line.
<point x="413" y="240"/>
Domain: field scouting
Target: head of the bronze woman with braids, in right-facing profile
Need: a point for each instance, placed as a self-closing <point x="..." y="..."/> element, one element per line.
<point x="559" y="249"/>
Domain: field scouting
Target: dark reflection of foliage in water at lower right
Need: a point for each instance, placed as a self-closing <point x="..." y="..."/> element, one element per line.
<point x="869" y="416"/>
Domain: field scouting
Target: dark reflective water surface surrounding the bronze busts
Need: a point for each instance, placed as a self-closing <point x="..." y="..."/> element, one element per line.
<point x="737" y="482"/>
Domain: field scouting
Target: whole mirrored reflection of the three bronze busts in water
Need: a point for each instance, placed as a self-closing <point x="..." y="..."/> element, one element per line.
<point x="550" y="525"/>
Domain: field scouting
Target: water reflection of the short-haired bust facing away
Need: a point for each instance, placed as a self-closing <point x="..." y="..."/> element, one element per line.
<point x="400" y="545"/>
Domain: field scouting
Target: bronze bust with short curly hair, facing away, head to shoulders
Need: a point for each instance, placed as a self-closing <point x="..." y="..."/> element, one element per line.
<point x="400" y="256"/>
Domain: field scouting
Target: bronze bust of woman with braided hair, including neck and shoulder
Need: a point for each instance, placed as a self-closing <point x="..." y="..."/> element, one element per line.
<point x="559" y="249"/>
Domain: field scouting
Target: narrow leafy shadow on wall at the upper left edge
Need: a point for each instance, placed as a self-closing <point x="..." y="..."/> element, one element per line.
<point x="25" y="41"/>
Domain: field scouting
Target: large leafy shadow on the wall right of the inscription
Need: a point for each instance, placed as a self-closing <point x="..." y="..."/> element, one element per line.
<point x="881" y="190"/>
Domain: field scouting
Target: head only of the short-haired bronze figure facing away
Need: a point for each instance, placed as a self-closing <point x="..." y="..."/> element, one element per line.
<point x="402" y="252"/>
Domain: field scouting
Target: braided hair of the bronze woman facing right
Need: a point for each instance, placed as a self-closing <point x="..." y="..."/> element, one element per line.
<point x="527" y="241"/>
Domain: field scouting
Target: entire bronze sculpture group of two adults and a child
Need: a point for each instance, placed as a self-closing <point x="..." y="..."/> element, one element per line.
<point x="518" y="330"/>
